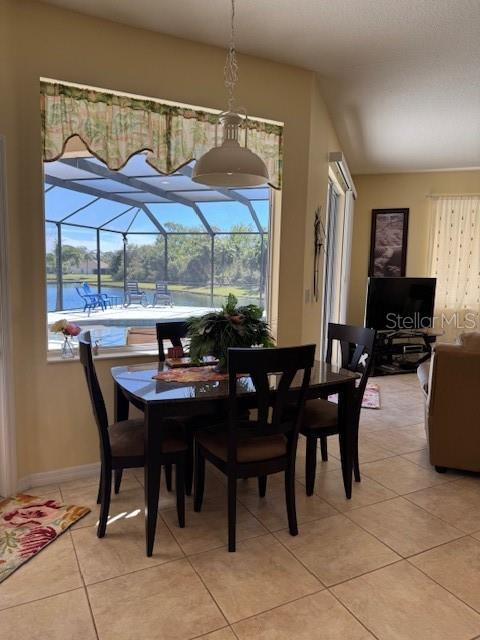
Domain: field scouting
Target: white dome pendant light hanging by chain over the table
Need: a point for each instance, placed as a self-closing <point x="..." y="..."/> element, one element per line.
<point x="230" y="164"/>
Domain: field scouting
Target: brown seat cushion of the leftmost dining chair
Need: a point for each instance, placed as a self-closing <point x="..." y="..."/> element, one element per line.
<point x="127" y="439"/>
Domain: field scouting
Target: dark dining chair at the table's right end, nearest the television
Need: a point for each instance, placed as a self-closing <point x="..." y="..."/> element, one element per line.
<point x="320" y="417"/>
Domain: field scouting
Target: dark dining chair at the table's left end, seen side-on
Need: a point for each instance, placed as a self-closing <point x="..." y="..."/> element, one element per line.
<point x="122" y="444"/>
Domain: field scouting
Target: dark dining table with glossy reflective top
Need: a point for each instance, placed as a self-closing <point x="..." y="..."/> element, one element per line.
<point x="160" y="400"/>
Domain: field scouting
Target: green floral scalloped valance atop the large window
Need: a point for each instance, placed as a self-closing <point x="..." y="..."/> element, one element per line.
<point x="115" y="127"/>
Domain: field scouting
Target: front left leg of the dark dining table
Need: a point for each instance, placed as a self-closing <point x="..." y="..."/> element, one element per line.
<point x="152" y="475"/>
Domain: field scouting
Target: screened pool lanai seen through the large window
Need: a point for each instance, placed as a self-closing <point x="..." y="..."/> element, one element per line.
<point x="109" y="228"/>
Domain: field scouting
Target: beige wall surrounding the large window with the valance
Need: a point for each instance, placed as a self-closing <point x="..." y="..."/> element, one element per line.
<point x="54" y="424"/>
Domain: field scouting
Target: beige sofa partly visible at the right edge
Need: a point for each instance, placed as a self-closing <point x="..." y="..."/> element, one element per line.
<point x="451" y="383"/>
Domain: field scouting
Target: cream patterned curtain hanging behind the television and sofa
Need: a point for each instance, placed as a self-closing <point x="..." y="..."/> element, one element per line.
<point x="455" y="262"/>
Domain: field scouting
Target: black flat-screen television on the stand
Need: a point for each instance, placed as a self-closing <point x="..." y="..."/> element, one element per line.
<point x="398" y="304"/>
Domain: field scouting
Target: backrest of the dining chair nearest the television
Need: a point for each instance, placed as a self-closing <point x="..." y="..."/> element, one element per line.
<point x="356" y="348"/>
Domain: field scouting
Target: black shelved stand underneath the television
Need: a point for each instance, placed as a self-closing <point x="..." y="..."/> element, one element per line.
<point x="401" y="351"/>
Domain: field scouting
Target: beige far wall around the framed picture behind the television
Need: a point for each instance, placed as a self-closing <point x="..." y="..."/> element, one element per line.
<point x="398" y="190"/>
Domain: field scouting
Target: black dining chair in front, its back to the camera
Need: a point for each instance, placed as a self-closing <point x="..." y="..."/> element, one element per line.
<point x="257" y="448"/>
